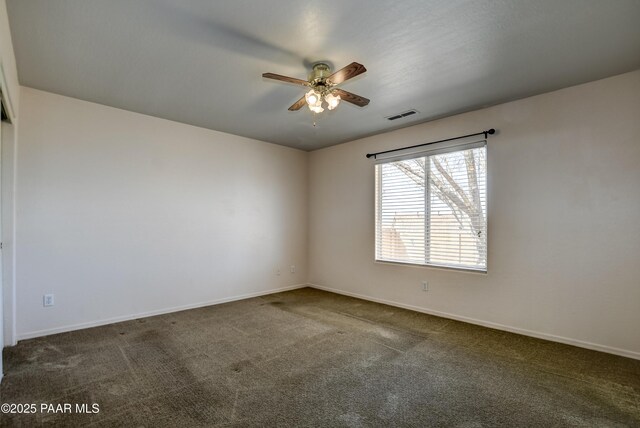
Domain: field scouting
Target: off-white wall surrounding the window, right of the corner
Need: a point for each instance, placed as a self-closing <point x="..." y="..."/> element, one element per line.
<point x="564" y="210"/>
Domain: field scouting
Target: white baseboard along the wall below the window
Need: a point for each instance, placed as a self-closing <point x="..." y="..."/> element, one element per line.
<point x="536" y="334"/>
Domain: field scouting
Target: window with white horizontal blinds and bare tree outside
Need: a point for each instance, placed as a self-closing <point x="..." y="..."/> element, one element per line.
<point x="431" y="208"/>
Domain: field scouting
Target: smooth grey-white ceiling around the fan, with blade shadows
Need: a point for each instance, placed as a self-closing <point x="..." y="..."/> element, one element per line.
<point x="200" y="61"/>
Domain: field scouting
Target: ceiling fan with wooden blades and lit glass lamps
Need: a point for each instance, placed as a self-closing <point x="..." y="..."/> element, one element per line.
<point x="323" y="88"/>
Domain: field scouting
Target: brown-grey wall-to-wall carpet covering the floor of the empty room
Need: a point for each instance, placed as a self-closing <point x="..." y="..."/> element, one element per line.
<point x="311" y="358"/>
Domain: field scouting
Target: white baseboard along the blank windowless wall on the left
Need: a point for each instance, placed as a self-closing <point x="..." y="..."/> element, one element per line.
<point x="64" y="329"/>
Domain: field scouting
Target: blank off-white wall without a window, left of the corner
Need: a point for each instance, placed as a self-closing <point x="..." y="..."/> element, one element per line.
<point x="121" y="214"/>
